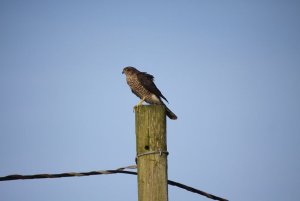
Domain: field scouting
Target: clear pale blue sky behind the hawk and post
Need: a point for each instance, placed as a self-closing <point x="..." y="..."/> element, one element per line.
<point x="230" y="70"/>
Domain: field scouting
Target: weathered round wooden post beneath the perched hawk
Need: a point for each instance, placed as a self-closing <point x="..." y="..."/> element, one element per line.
<point x="151" y="147"/>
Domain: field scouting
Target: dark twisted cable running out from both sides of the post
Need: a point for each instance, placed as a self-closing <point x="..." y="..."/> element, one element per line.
<point x="119" y="170"/>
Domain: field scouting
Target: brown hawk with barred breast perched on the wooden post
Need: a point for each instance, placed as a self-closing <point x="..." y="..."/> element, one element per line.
<point x="142" y="85"/>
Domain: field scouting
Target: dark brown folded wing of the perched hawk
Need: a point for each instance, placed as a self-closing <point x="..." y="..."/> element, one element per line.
<point x="147" y="81"/>
